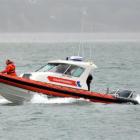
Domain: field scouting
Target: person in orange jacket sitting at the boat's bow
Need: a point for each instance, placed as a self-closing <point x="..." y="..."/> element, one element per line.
<point x="10" y="68"/>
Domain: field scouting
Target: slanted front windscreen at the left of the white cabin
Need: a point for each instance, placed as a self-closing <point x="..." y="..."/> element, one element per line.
<point x="47" y="67"/>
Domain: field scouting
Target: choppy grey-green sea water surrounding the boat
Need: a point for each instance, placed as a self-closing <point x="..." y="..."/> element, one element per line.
<point x="69" y="119"/>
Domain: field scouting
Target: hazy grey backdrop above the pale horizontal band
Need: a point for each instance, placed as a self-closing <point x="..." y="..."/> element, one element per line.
<point x="69" y="15"/>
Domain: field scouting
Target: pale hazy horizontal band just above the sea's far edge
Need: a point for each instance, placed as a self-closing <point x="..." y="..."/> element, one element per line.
<point x="66" y="37"/>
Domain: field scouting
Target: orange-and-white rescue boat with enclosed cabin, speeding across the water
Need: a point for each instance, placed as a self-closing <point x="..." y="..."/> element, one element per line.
<point x="59" y="78"/>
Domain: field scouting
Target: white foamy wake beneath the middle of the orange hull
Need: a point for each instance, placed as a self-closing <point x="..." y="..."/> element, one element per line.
<point x="43" y="99"/>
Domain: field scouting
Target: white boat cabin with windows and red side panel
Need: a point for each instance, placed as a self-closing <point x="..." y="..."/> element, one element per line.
<point x="72" y="72"/>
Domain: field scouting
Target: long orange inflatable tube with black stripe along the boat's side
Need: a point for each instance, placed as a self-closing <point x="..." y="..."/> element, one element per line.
<point x="60" y="91"/>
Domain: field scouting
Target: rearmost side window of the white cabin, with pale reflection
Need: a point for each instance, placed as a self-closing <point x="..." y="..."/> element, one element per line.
<point x="74" y="71"/>
